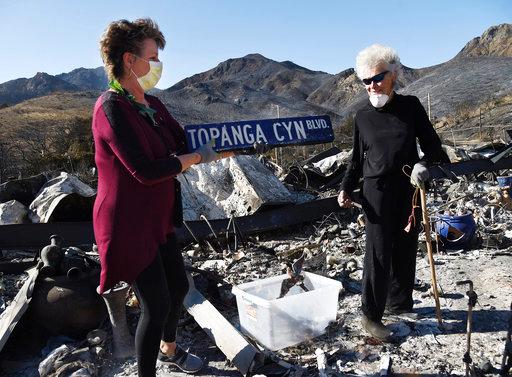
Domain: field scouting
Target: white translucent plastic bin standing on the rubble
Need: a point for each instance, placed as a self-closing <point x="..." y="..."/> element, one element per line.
<point x="277" y="323"/>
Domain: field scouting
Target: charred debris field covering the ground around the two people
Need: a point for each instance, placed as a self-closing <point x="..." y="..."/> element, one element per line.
<point x="266" y="222"/>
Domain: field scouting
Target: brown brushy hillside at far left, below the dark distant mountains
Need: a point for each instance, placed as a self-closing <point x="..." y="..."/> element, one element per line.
<point x="50" y="132"/>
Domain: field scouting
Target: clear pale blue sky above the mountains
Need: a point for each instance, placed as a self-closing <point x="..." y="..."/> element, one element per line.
<point x="56" y="36"/>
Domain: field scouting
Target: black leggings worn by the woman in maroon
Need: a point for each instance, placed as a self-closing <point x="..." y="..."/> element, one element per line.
<point x="160" y="289"/>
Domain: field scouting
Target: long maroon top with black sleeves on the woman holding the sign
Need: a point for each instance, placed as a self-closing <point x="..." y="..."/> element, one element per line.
<point x="134" y="208"/>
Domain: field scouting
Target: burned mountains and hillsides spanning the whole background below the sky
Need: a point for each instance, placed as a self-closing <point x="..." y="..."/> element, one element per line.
<point x="471" y="90"/>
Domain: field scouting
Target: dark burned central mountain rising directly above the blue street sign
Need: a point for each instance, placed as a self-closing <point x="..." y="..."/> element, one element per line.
<point x="245" y="88"/>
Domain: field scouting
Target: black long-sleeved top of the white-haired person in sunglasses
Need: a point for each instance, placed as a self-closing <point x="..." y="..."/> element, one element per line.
<point x="385" y="140"/>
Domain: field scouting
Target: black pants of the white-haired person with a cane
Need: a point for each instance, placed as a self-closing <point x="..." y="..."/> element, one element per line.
<point x="390" y="258"/>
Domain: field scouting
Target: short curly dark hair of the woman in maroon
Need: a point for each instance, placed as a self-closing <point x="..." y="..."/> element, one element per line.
<point x="126" y="36"/>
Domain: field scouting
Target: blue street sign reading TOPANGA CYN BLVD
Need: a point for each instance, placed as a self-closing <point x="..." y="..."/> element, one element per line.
<point x="244" y="134"/>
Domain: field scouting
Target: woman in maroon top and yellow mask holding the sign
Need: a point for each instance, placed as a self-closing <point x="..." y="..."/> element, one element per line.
<point x="139" y="150"/>
